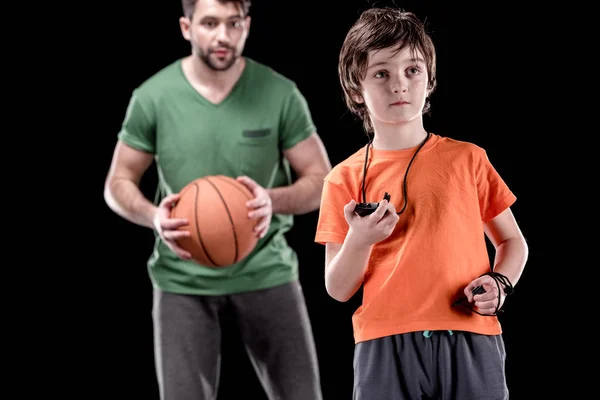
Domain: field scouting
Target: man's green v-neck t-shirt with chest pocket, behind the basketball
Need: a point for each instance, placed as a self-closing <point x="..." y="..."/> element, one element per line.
<point x="245" y="134"/>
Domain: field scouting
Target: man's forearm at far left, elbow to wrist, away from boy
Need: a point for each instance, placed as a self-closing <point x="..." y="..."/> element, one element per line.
<point x="125" y="199"/>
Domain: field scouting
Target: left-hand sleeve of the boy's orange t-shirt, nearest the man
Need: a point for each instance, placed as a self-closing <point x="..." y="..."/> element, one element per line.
<point x="332" y="225"/>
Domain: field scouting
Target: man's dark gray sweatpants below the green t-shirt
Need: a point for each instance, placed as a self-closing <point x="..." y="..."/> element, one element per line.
<point x="274" y="326"/>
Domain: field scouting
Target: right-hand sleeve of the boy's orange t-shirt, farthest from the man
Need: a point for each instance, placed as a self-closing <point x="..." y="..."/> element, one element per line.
<point x="494" y="194"/>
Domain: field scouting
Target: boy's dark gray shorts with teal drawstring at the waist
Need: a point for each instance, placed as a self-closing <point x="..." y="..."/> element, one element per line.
<point x="448" y="365"/>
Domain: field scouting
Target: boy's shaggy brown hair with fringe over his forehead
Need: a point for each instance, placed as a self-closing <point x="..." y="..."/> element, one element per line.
<point x="376" y="29"/>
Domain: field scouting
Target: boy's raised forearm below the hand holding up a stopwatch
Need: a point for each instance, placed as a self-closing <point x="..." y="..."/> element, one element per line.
<point x="345" y="272"/>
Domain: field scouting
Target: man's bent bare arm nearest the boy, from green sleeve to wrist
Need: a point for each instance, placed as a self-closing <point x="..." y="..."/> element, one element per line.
<point x="311" y="163"/>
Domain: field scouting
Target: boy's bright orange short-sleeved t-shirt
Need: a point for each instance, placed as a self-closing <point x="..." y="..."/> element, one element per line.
<point x="438" y="245"/>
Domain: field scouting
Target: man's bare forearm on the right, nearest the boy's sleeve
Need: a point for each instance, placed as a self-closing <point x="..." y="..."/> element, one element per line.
<point x="301" y="197"/>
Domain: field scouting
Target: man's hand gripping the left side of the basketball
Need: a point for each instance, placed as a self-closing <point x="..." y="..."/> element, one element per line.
<point x="167" y="227"/>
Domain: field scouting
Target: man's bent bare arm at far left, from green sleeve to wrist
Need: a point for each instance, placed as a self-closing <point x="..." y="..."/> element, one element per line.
<point x="121" y="190"/>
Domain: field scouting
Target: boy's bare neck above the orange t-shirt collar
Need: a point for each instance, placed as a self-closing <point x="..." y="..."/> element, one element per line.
<point x="399" y="136"/>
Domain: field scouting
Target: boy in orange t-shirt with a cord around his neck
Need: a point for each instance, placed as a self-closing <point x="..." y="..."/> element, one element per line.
<point x="419" y="256"/>
